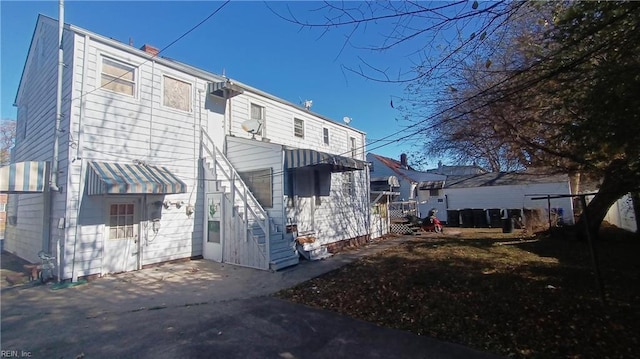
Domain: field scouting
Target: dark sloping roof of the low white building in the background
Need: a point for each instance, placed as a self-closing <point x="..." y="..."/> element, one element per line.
<point x="503" y="179"/>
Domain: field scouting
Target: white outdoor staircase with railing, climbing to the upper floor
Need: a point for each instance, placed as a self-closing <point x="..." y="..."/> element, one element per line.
<point x="276" y="249"/>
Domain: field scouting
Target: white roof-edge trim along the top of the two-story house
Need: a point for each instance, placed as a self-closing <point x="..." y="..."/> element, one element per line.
<point x="177" y="65"/>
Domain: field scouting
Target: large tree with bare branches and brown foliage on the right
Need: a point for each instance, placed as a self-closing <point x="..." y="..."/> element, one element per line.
<point x="513" y="84"/>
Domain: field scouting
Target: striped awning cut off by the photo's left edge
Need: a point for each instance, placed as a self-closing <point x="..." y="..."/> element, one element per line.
<point x="24" y="177"/>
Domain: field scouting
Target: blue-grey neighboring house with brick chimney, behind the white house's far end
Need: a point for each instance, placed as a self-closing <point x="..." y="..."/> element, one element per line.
<point x="423" y="187"/>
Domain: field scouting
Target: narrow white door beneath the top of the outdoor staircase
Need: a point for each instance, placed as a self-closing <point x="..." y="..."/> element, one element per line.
<point x="214" y="219"/>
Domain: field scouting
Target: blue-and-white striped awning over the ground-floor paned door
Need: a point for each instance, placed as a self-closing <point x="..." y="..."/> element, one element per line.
<point x="124" y="178"/>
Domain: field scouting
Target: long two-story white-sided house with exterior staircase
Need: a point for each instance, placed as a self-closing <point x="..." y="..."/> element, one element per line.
<point x="158" y="160"/>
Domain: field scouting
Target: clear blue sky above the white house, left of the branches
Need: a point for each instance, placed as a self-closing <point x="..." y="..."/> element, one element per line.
<point x="245" y="41"/>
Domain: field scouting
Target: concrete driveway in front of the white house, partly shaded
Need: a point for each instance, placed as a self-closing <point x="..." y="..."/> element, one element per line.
<point x="200" y="309"/>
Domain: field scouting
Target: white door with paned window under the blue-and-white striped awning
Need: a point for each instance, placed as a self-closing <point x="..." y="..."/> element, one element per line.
<point x="121" y="236"/>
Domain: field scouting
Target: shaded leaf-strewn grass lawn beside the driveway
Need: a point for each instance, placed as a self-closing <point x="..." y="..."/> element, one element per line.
<point x="508" y="294"/>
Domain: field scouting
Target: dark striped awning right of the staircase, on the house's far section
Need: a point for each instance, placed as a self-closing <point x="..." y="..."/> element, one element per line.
<point x="301" y="157"/>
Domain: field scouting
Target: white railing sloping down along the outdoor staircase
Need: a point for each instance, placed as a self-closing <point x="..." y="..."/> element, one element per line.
<point x="252" y="209"/>
